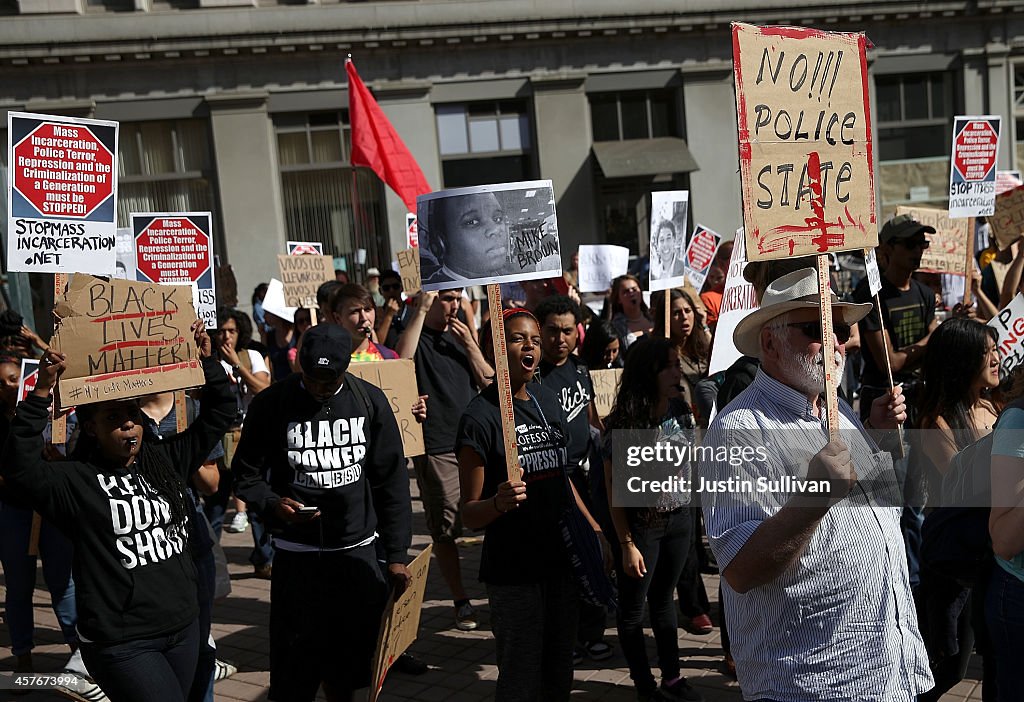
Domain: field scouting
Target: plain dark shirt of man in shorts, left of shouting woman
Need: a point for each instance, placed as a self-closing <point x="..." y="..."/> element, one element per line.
<point x="443" y="372"/>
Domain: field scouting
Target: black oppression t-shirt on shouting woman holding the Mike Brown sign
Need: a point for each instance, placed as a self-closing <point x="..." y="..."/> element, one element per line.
<point x="524" y="546"/>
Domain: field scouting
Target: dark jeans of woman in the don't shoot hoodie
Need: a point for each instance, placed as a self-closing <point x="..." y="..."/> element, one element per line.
<point x="158" y="670"/>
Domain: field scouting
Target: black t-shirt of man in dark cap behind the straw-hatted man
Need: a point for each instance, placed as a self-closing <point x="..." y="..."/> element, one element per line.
<point x="908" y="315"/>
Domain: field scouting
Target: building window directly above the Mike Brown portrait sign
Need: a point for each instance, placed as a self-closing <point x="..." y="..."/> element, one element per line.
<point x="485" y="143"/>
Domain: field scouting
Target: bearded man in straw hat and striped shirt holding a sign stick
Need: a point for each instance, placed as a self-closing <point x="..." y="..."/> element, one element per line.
<point x="816" y="583"/>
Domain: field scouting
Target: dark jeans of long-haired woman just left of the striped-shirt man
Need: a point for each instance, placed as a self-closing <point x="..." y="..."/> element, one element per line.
<point x="665" y="547"/>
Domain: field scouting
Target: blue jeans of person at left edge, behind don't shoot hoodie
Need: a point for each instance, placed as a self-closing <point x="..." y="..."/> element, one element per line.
<point x="20" y="575"/>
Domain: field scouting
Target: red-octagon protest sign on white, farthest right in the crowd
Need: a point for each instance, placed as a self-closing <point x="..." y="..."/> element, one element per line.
<point x="972" y="166"/>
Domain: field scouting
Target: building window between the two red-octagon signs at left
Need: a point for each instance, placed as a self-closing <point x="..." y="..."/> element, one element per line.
<point x="164" y="167"/>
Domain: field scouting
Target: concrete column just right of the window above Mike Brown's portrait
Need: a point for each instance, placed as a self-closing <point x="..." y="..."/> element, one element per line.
<point x="563" y="143"/>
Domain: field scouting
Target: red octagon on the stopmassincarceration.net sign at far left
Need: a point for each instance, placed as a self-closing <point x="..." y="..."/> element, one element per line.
<point x="63" y="170"/>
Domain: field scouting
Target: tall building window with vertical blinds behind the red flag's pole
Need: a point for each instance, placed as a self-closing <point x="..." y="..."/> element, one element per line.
<point x="325" y="199"/>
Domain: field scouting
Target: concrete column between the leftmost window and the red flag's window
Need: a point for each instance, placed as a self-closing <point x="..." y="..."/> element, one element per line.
<point x="246" y="155"/>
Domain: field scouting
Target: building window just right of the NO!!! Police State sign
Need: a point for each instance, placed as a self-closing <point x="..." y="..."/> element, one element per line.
<point x="915" y="115"/>
